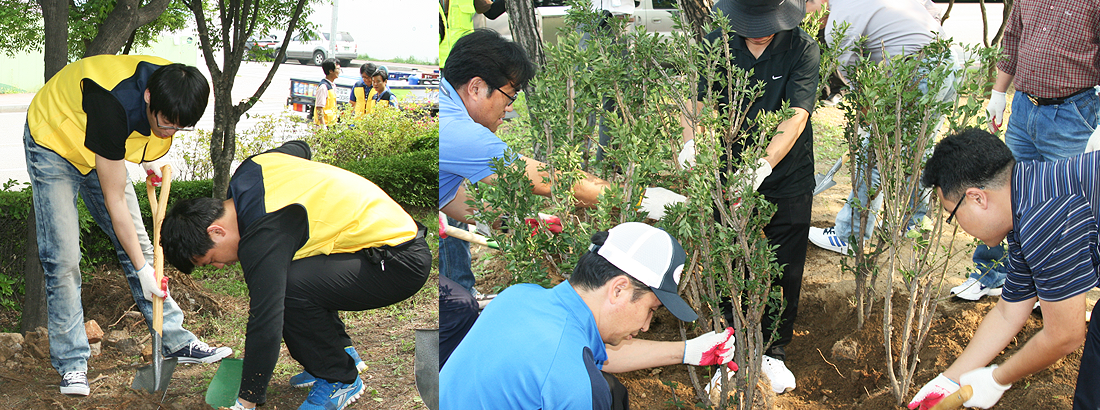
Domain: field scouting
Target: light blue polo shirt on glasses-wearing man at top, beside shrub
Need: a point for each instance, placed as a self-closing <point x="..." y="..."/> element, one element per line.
<point x="466" y="148"/>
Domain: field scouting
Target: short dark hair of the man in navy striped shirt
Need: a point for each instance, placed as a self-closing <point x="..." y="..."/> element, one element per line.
<point x="972" y="158"/>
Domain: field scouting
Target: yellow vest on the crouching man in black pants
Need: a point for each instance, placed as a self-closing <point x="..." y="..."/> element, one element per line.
<point x="347" y="213"/>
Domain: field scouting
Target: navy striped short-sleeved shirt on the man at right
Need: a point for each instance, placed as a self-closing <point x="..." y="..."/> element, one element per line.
<point x="1053" y="243"/>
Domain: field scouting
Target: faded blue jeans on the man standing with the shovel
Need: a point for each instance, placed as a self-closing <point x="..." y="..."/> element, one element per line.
<point x="56" y="184"/>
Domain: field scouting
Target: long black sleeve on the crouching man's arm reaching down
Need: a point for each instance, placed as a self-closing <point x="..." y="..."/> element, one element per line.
<point x="266" y="251"/>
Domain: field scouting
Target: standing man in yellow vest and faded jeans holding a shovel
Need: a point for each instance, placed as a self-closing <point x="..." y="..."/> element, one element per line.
<point x="82" y="126"/>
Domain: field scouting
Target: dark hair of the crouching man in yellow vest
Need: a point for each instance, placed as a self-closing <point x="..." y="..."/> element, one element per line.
<point x="184" y="231"/>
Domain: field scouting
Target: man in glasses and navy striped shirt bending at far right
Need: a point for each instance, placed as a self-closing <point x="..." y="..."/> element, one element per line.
<point x="1049" y="213"/>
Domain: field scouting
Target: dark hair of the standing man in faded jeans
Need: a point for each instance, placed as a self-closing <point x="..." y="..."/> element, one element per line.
<point x="180" y="93"/>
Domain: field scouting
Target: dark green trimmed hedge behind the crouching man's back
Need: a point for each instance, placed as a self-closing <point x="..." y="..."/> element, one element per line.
<point x="410" y="179"/>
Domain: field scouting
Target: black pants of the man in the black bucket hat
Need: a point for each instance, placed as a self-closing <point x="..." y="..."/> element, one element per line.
<point x="789" y="231"/>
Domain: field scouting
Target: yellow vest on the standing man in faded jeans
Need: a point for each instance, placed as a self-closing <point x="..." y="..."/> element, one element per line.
<point x="58" y="120"/>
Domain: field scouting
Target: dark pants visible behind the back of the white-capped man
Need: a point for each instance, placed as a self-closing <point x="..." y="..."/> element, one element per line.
<point x="458" y="311"/>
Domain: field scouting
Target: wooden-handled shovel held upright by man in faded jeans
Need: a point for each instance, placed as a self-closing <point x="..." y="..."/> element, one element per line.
<point x="156" y="376"/>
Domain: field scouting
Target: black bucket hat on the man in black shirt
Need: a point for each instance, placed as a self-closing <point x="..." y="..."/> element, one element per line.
<point x="755" y="19"/>
